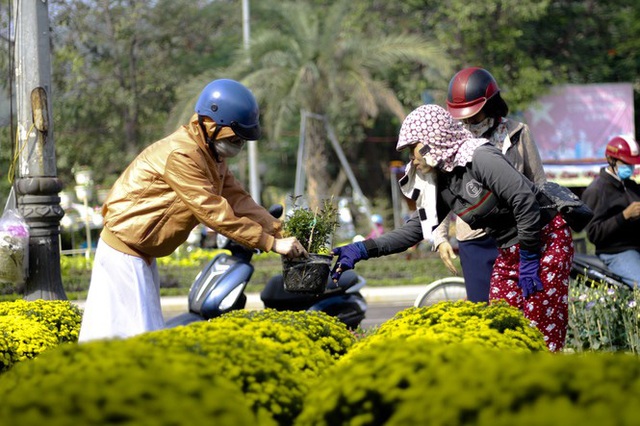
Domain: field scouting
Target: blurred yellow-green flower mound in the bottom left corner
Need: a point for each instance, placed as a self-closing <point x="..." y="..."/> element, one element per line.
<point x="120" y="382"/>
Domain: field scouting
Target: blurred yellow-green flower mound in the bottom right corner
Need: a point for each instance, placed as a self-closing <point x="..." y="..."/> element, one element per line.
<point x="421" y="382"/>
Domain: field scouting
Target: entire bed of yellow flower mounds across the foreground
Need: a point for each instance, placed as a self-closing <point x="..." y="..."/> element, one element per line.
<point x="452" y="363"/>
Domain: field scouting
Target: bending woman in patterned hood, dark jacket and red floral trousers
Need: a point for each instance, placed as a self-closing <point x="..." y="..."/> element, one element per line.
<point x="451" y="170"/>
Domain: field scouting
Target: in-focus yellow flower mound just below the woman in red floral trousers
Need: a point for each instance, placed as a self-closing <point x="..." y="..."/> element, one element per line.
<point x="496" y="325"/>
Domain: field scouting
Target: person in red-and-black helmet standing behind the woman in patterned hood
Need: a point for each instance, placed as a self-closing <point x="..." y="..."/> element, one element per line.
<point x="474" y="98"/>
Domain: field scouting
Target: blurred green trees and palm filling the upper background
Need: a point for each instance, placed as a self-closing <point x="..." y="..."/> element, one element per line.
<point x="126" y="72"/>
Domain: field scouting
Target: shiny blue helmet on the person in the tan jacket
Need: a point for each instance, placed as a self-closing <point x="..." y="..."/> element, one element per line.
<point x="230" y="104"/>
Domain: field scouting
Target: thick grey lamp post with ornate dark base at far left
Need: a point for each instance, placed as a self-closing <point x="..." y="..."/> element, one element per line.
<point x="37" y="185"/>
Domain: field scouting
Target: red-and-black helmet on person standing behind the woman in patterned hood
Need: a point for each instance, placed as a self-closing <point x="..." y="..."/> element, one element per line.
<point x="469" y="91"/>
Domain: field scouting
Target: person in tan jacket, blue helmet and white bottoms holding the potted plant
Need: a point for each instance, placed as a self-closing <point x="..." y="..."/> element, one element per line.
<point x="169" y="188"/>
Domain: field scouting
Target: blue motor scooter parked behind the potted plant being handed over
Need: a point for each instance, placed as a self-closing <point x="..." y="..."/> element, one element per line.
<point x="220" y="288"/>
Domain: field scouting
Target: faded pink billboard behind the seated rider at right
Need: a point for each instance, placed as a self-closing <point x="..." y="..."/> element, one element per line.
<point x="573" y="123"/>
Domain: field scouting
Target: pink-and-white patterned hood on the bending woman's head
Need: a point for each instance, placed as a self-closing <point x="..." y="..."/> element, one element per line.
<point x="447" y="143"/>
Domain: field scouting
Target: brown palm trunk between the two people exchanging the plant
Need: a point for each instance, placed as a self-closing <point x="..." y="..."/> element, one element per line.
<point x="318" y="180"/>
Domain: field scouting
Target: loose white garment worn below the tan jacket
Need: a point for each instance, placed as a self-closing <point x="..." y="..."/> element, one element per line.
<point x="123" y="298"/>
